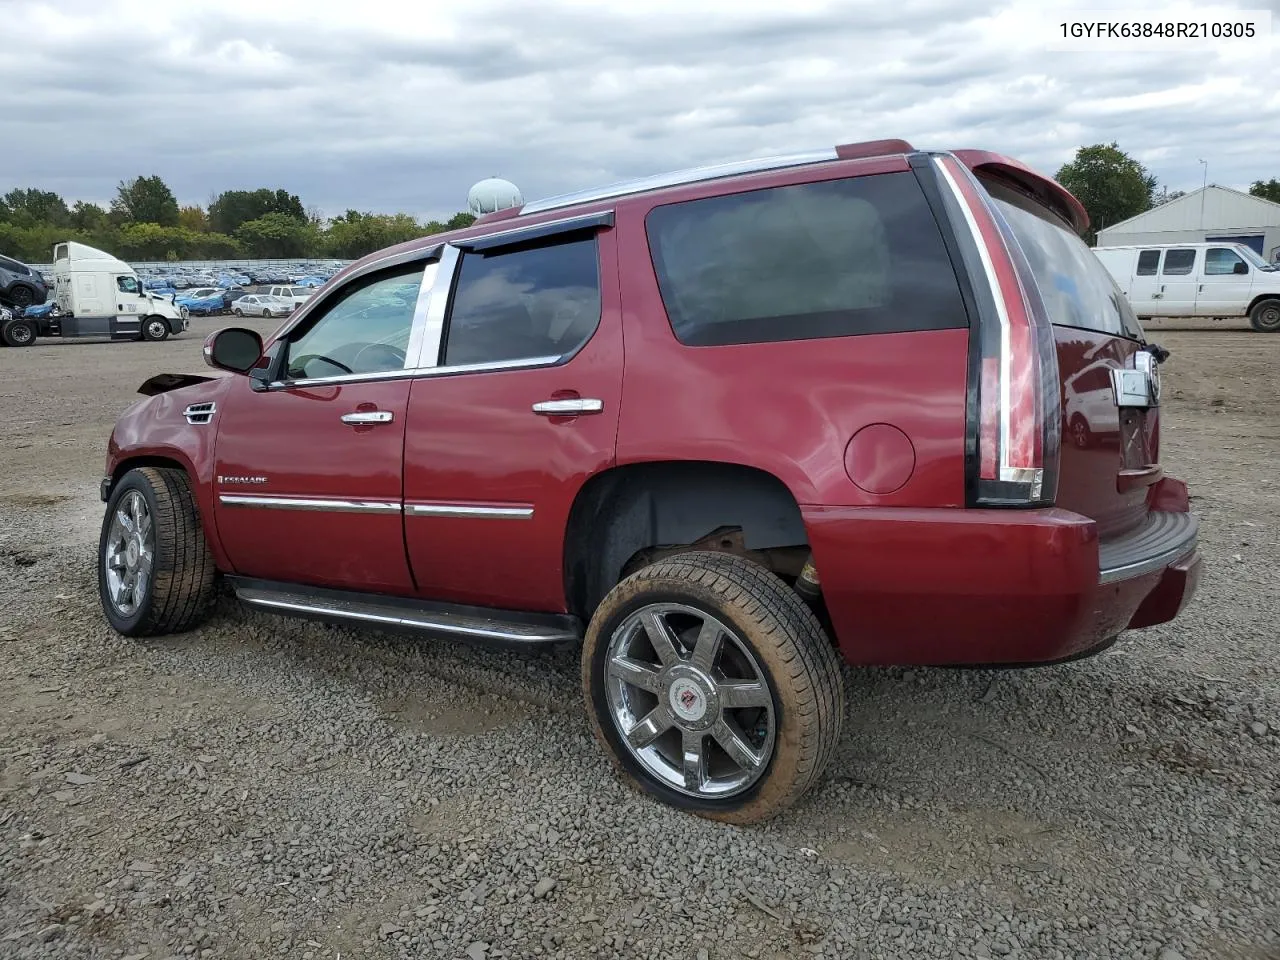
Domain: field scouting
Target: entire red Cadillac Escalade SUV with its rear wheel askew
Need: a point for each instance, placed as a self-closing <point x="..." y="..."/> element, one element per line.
<point x="723" y="428"/>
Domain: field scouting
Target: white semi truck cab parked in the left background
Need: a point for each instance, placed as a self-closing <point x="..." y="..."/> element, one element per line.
<point x="95" y="295"/>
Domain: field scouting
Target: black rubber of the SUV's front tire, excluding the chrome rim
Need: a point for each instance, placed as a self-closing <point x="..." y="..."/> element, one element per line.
<point x="184" y="577"/>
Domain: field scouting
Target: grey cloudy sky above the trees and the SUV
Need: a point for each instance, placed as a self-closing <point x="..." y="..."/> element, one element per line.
<point x="400" y="106"/>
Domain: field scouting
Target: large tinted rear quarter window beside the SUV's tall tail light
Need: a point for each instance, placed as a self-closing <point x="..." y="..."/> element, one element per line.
<point x="831" y="259"/>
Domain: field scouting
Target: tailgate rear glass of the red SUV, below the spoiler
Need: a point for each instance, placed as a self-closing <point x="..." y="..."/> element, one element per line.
<point x="1077" y="290"/>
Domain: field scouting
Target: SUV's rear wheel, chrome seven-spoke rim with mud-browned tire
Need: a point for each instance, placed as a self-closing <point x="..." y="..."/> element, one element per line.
<point x="714" y="688"/>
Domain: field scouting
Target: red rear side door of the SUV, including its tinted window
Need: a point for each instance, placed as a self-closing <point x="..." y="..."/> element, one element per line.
<point x="518" y="409"/>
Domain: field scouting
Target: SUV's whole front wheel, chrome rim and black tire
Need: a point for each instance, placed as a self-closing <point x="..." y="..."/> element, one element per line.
<point x="156" y="574"/>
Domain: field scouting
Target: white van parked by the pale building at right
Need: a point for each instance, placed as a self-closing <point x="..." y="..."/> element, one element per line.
<point x="1219" y="281"/>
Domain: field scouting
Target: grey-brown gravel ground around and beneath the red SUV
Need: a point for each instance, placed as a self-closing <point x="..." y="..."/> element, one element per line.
<point x="266" y="788"/>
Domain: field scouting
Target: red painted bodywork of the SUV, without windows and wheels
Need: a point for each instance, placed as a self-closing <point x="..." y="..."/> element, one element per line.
<point x="872" y="436"/>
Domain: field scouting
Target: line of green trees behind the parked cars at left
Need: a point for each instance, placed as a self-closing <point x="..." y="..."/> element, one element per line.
<point x="145" y="222"/>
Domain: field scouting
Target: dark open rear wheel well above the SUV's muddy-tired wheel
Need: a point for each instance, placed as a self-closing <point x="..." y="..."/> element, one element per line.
<point x="637" y="514"/>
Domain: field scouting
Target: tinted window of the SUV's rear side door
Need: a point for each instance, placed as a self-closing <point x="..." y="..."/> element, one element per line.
<point x="527" y="303"/>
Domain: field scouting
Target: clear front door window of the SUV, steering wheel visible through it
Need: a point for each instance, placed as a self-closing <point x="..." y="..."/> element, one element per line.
<point x="364" y="330"/>
